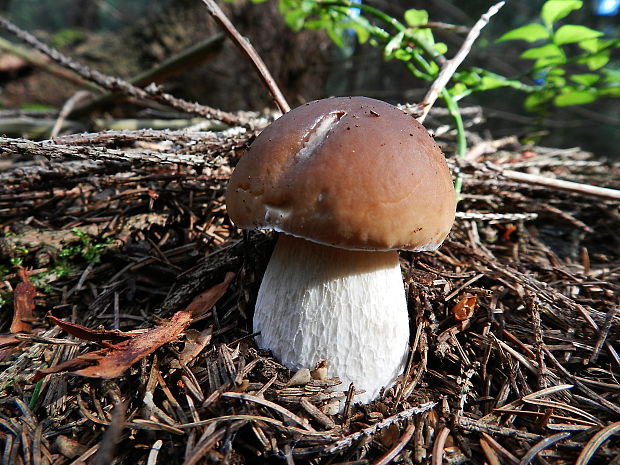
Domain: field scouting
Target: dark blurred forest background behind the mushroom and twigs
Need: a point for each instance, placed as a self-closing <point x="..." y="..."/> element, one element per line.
<point x="126" y="37"/>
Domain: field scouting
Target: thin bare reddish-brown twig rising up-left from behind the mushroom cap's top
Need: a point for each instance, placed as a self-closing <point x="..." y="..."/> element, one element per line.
<point x="249" y="51"/>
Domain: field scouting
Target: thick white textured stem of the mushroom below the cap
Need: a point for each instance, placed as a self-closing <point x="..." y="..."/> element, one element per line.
<point x="348" y="307"/>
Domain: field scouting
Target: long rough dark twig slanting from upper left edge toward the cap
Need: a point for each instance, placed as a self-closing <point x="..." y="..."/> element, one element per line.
<point x="116" y="84"/>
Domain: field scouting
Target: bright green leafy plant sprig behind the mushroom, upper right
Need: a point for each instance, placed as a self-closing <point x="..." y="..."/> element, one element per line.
<point x="571" y="63"/>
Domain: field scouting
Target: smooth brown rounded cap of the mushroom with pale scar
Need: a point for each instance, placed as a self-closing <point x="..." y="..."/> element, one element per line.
<point x="351" y="172"/>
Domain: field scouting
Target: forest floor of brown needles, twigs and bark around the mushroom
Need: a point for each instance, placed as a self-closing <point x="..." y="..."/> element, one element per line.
<point x="127" y="299"/>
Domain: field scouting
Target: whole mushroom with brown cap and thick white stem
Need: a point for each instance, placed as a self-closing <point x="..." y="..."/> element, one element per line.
<point x="347" y="181"/>
